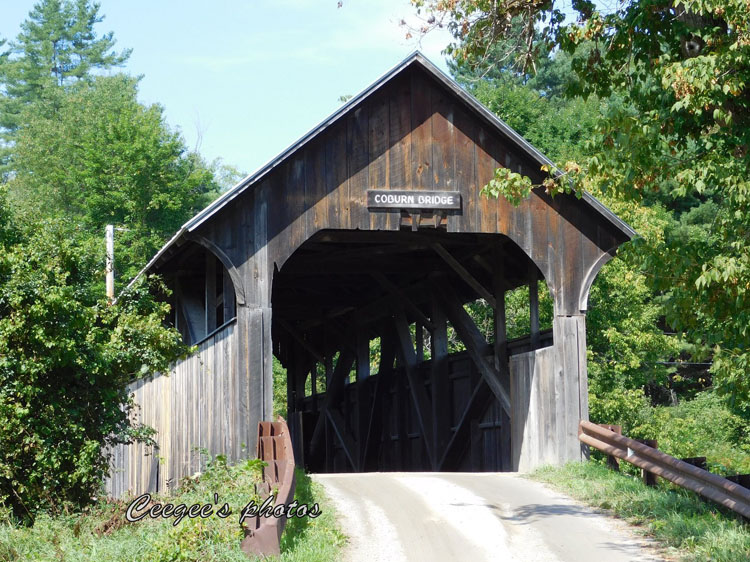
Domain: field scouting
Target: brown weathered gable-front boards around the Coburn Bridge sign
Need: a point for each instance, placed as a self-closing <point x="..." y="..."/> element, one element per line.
<point x="412" y="134"/>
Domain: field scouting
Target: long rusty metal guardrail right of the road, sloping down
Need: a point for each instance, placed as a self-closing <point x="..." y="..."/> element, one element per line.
<point x="710" y="486"/>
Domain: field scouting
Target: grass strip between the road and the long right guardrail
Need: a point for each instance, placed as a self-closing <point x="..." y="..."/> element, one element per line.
<point x="689" y="528"/>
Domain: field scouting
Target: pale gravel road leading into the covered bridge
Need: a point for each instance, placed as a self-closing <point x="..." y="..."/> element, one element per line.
<point x="436" y="517"/>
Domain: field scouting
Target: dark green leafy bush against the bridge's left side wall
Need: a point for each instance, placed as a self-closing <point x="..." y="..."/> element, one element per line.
<point x="65" y="359"/>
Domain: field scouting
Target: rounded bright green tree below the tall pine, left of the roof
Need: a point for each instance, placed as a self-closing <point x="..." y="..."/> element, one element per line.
<point x="94" y="154"/>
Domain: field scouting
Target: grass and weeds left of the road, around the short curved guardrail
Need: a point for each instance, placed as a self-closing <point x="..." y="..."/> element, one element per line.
<point x="101" y="532"/>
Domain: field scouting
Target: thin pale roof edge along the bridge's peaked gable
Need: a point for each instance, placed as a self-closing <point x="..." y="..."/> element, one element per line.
<point x="416" y="58"/>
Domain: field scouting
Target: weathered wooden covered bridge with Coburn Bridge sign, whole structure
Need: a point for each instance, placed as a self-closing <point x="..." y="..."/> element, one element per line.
<point x="350" y="258"/>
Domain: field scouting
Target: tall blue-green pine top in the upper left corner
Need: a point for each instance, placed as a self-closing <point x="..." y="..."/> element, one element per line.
<point x="57" y="46"/>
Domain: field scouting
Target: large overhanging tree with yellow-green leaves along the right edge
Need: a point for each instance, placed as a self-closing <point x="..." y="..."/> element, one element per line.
<point x="678" y="131"/>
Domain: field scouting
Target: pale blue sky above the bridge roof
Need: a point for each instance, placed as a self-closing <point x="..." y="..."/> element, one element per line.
<point x="244" y="79"/>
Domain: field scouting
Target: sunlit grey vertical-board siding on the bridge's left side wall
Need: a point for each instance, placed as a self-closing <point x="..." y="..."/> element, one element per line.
<point x="201" y="404"/>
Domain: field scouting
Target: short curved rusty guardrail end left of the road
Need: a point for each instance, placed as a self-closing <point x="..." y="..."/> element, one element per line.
<point x="263" y="532"/>
